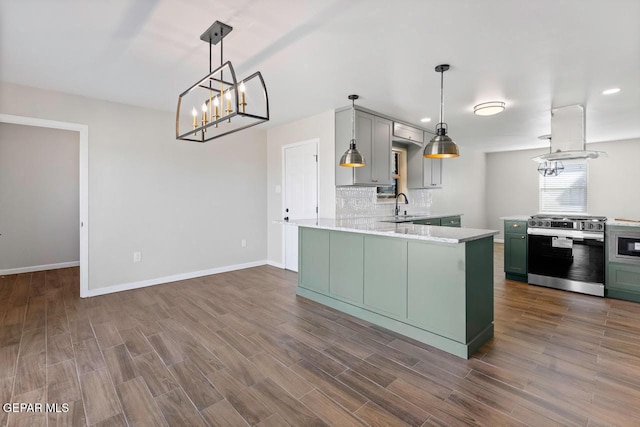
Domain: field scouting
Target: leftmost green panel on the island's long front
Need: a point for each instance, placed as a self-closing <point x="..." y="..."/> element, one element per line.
<point x="313" y="259"/>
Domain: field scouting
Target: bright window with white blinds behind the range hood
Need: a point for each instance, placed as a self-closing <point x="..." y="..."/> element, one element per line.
<point x="566" y="192"/>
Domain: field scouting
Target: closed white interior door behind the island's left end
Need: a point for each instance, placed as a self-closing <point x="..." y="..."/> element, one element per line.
<point x="300" y="194"/>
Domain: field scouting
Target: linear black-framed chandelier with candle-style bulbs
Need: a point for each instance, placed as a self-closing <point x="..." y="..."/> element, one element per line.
<point x="219" y="104"/>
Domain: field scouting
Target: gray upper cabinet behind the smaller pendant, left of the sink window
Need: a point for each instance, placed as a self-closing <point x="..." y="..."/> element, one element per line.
<point x="373" y="140"/>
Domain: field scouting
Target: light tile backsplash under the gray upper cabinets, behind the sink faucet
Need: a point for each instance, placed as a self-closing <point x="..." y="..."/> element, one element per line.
<point x="353" y="202"/>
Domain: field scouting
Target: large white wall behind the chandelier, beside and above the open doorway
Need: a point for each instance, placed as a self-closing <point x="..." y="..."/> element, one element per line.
<point x="185" y="206"/>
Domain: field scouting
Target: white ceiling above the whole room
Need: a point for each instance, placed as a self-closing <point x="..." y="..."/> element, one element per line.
<point x="533" y="55"/>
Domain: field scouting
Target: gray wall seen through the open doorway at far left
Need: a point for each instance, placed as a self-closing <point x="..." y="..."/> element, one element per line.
<point x="39" y="192"/>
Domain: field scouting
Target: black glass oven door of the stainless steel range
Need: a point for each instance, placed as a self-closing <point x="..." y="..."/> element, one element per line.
<point x="576" y="258"/>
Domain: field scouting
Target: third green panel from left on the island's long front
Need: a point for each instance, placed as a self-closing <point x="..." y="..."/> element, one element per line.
<point x="385" y="275"/>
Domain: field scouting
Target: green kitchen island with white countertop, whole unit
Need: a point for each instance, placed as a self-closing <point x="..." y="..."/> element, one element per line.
<point x="432" y="284"/>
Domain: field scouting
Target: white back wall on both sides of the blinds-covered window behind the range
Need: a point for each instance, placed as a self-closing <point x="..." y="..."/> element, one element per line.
<point x="512" y="182"/>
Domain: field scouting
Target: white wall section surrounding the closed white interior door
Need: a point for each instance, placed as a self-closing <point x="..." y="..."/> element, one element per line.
<point x="322" y="127"/>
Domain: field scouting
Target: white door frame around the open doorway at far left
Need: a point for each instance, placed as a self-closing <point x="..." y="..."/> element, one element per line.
<point x="83" y="131"/>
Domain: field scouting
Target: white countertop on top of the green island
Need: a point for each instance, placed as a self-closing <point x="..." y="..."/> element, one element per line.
<point x="372" y="225"/>
